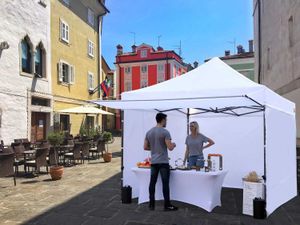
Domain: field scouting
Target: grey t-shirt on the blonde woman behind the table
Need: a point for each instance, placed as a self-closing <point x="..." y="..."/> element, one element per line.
<point x="195" y="144"/>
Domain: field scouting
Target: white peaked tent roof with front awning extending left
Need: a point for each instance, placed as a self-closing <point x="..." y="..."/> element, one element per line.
<point x="213" y="84"/>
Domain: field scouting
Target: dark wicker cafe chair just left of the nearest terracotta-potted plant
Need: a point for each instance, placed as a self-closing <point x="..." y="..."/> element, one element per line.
<point x="39" y="160"/>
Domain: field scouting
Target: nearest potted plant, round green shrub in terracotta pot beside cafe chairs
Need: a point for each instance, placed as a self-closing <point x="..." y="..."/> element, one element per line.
<point x="55" y="139"/>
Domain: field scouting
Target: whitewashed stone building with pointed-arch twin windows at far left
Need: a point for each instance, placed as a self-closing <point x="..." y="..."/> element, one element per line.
<point x="25" y="70"/>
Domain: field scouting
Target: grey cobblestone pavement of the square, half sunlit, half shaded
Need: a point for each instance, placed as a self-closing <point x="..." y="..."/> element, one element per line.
<point x="90" y="194"/>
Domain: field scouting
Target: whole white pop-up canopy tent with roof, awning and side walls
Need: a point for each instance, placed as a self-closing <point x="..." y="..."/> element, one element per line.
<point x="253" y="127"/>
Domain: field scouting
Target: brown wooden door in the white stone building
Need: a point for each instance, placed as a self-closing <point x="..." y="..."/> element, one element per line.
<point x="38" y="126"/>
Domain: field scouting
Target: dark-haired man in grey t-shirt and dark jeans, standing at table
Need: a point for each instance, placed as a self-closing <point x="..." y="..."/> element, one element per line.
<point x="158" y="141"/>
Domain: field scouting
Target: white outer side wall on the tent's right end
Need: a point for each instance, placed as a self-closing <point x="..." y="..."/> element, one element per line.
<point x="281" y="185"/>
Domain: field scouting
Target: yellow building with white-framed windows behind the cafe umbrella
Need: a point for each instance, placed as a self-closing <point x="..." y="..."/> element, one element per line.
<point x="75" y="51"/>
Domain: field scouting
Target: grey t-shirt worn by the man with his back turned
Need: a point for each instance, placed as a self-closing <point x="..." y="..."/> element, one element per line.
<point x="156" y="137"/>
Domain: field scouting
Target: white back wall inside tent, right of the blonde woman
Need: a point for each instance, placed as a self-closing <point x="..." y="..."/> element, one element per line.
<point x="239" y="140"/>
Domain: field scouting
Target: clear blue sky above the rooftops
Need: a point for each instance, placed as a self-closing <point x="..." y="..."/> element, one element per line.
<point x="204" y="27"/>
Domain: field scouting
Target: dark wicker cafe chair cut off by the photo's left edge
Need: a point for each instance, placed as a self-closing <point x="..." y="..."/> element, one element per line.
<point x="7" y="165"/>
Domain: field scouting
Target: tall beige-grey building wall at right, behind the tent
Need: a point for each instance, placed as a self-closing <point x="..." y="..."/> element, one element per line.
<point x="277" y="48"/>
